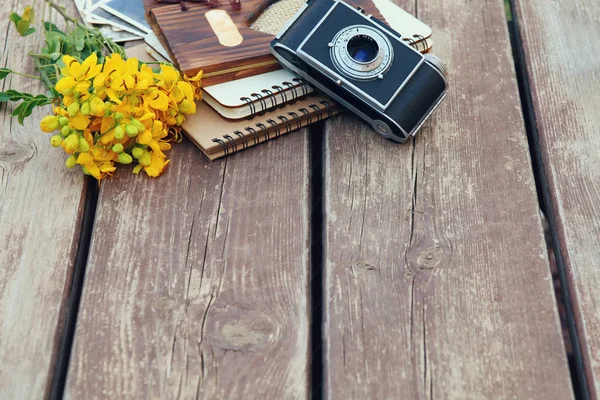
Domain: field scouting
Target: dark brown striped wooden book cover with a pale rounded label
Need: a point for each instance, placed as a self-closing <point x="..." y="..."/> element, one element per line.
<point x="193" y="45"/>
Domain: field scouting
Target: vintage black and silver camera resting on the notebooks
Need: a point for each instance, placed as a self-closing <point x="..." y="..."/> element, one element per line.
<point x="364" y="65"/>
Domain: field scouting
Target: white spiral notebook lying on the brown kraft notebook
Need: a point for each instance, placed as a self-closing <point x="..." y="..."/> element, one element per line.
<point x="245" y="98"/>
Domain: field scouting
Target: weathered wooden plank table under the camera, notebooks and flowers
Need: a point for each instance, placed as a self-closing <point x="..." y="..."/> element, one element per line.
<point x="327" y="263"/>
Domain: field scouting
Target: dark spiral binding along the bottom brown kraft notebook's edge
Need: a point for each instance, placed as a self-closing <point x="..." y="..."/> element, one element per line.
<point x="274" y="127"/>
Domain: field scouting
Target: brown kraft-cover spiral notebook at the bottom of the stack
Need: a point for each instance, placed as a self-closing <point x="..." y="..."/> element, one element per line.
<point x="218" y="137"/>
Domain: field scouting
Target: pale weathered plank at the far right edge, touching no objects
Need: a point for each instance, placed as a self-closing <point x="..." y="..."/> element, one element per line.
<point x="562" y="56"/>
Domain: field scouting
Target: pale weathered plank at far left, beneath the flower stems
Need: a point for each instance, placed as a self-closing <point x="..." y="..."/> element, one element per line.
<point x="41" y="205"/>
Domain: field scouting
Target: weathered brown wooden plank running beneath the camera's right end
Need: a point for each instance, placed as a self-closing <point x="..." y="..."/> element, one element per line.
<point x="436" y="274"/>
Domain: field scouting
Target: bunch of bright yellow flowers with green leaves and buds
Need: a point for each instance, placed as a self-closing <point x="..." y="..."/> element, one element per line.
<point x="107" y="109"/>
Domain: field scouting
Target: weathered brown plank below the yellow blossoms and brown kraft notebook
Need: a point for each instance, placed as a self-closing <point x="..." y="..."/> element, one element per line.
<point x="197" y="281"/>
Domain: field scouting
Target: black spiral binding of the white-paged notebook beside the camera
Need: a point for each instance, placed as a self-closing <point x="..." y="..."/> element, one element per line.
<point x="266" y="100"/>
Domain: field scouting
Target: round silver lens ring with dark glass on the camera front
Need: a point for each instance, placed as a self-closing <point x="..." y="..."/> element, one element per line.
<point x="358" y="63"/>
